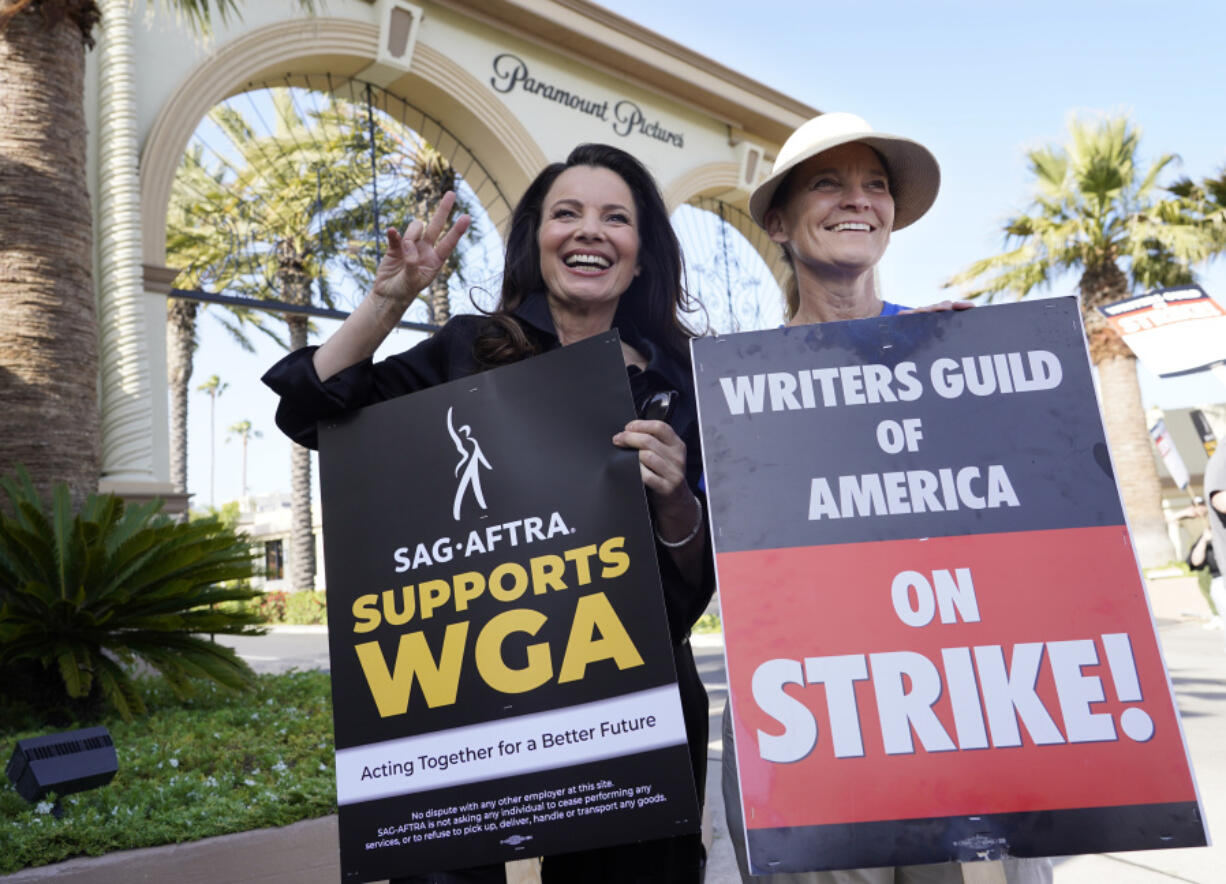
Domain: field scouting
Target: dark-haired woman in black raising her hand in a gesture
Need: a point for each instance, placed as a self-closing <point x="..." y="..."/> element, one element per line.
<point x="589" y="250"/>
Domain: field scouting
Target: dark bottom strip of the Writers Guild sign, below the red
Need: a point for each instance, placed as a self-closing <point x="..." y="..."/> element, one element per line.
<point x="986" y="837"/>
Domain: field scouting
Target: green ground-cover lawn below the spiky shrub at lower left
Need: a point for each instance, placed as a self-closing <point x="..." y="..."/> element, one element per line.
<point x="215" y="764"/>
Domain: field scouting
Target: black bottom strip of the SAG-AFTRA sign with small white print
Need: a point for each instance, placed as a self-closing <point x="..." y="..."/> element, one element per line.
<point x="598" y="818"/>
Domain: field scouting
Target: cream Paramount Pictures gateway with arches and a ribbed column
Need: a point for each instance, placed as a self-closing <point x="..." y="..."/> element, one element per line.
<point x="519" y="83"/>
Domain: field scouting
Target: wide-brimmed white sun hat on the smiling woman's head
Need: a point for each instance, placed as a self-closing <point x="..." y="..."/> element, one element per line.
<point x="915" y="176"/>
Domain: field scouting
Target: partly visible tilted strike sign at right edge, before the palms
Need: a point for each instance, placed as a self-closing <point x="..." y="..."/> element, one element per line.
<point x="1171" y="330"/>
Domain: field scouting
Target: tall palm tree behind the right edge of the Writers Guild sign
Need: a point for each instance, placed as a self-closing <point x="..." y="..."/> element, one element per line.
<point x="1098" y="213"/>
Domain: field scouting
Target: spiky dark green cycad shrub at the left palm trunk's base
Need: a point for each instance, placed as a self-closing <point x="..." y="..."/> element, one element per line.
<point x="86" y="596"/>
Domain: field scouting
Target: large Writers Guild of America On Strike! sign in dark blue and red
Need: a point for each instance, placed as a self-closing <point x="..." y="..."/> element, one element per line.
<point x="939" y="643"/>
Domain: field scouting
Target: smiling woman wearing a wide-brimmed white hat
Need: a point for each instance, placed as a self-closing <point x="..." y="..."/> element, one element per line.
<point x="836" y="196"/>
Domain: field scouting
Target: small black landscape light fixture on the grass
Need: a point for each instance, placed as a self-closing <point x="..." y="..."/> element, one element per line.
<point x="63" y="763"/>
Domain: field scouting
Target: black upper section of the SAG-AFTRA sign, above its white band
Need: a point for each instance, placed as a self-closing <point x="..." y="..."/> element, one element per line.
<point x="389" y="482"/>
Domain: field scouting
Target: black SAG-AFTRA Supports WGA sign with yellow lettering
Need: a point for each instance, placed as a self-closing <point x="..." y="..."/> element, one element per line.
<point x="503" y="681"/>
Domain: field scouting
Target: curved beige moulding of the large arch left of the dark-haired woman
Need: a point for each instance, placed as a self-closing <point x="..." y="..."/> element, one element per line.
<point x="436" y="85"/>
